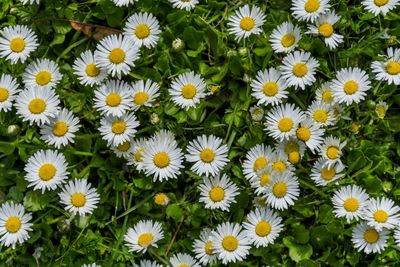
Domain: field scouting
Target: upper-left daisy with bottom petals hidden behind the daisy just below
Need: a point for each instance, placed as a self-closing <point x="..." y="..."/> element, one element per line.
<point x="43" y="73"/>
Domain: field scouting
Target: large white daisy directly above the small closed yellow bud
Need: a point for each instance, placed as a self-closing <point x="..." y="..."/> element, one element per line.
<point x="162" y="158"/>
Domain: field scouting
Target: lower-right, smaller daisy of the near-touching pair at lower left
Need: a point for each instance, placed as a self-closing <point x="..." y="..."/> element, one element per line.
<point x="79" y="197"/>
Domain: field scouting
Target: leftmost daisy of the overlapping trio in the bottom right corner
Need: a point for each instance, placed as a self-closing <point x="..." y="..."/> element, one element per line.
<point x="350" y="202"/>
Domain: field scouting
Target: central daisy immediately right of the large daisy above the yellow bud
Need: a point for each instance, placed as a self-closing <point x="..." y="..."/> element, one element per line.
<point x="208" y="153"/>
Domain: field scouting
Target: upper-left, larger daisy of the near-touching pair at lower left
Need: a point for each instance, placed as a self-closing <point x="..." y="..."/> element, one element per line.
<point x="46" y="169"/>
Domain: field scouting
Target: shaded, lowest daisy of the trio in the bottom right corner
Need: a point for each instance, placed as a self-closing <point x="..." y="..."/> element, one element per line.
<point x="368" y="239"/>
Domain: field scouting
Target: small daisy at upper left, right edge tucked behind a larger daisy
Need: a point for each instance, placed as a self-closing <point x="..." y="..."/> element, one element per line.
<point x="88" y="72"/>
